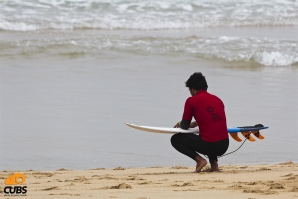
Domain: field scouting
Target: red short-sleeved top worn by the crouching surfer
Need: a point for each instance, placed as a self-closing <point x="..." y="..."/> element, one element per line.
<point x="208" y="111"/>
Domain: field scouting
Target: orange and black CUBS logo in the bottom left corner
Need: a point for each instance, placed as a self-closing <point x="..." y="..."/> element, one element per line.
<point x="16" y="179"/>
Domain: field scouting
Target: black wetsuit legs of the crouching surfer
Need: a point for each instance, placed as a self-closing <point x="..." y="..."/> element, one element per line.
<point x="190" y="144"/>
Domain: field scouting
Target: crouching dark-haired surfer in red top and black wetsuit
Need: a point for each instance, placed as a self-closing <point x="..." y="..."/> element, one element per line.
<point x="208" y="112"/>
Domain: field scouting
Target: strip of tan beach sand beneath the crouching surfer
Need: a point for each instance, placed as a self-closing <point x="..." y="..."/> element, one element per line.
<point x="249" y="182"/>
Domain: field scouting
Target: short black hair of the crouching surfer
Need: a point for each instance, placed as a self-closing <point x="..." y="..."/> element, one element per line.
<point x="197" y="81"/>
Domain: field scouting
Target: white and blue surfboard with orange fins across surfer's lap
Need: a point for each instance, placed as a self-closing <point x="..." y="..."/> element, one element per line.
<point x="246" y="131"/>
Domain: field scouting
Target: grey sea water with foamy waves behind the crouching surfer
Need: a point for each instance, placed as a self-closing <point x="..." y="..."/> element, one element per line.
<point x="73" y="71"/>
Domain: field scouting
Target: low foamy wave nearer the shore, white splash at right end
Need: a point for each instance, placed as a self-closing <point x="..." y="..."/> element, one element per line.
<point x="267" y="52"/>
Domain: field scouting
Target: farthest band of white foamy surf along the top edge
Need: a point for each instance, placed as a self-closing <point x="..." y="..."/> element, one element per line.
<point x="146" y="15"/>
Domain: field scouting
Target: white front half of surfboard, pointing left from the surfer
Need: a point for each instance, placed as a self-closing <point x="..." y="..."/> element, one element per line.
<point x="163" y="129"/>
